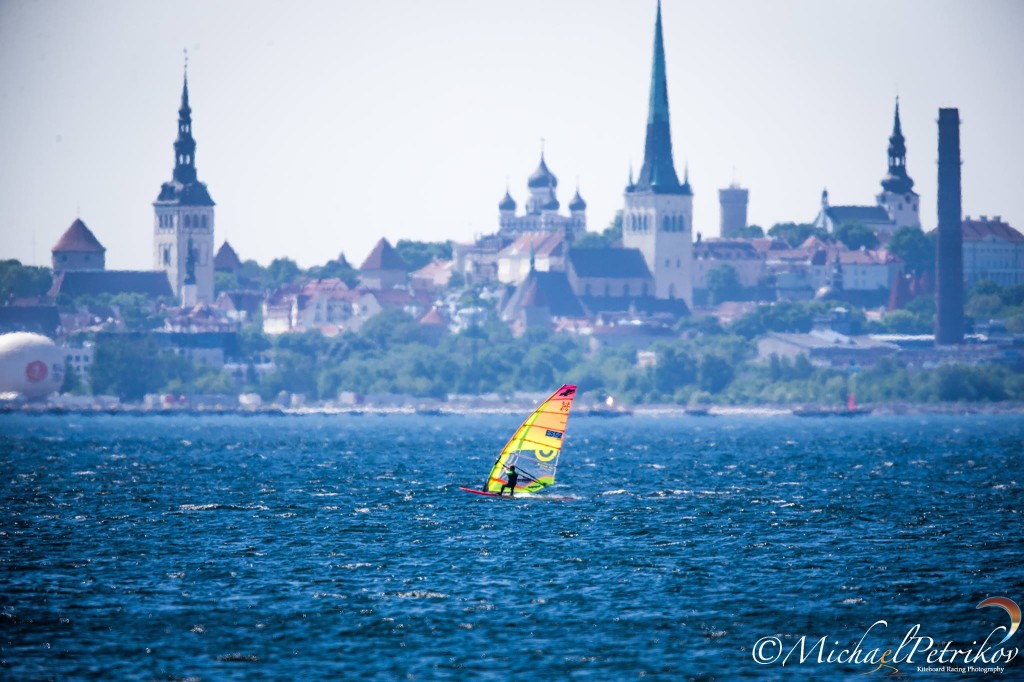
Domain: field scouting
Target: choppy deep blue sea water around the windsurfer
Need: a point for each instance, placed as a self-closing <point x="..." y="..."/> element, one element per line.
<point x="340" y="547"/>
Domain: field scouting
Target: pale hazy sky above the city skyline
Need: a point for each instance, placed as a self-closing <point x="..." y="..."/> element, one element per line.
<point x="322" y="126"/>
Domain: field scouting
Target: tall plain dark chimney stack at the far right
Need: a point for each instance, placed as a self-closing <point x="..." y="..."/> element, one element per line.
<point x="950" y="246"/>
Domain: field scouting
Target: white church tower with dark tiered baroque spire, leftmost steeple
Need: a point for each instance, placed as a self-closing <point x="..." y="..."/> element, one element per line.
<point x="183" y="241"/>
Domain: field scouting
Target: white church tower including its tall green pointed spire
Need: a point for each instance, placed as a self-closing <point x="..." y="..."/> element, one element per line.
<point x="658" y="218"/>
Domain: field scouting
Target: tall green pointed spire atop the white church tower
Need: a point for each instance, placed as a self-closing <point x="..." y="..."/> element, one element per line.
<point x="659" y="174"/>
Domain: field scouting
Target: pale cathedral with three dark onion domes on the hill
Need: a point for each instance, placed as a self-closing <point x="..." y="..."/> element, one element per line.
<point x="542" y="208"/>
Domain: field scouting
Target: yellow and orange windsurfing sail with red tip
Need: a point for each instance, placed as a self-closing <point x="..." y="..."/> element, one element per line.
<point x="535" y="448"/>
